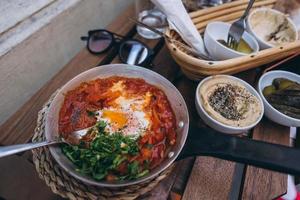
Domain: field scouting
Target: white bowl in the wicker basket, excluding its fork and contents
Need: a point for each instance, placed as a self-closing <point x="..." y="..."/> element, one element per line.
<point x="219" y="31"/>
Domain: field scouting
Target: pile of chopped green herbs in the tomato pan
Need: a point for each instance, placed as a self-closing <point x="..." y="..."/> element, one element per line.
<point x="104" y="154"/>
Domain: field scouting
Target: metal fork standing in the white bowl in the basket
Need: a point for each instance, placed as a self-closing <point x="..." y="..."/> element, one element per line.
<point x="238" y="27"/>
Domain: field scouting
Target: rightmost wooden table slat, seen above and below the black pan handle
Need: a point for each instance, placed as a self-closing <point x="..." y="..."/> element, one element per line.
<point x="260" y="183"/>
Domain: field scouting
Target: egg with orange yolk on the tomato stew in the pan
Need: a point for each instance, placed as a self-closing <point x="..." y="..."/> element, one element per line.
<point x="126" y="114"/>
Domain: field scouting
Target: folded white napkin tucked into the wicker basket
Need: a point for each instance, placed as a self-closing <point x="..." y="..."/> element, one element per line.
<point x="180" y="21"/>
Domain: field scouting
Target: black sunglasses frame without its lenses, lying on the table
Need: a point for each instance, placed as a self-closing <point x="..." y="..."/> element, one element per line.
<point x="118" y="40"/>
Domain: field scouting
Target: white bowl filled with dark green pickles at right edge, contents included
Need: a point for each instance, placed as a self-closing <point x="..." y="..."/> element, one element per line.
<point x="280" y="92"/>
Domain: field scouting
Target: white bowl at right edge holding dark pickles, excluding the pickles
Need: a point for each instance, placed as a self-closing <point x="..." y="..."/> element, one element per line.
<point x="270" y="111"/>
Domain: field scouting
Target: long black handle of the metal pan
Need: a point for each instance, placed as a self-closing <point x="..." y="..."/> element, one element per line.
<point x="208" y="142"/>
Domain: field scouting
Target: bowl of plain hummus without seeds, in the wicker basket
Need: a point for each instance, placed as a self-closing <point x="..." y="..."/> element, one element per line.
<point x="271" y="28"/>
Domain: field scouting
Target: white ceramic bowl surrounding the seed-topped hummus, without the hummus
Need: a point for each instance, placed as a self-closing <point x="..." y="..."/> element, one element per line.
<point x="213" y="123"/>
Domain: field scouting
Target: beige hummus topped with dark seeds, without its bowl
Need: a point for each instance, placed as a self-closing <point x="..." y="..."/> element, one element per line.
<point x="229" y="102"/>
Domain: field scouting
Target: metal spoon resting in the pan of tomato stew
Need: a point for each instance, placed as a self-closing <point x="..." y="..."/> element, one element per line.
<point x="73" y="138"/>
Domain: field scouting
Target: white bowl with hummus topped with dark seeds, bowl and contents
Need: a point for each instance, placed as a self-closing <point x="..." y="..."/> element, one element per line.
<point x="228" y="104"/>
